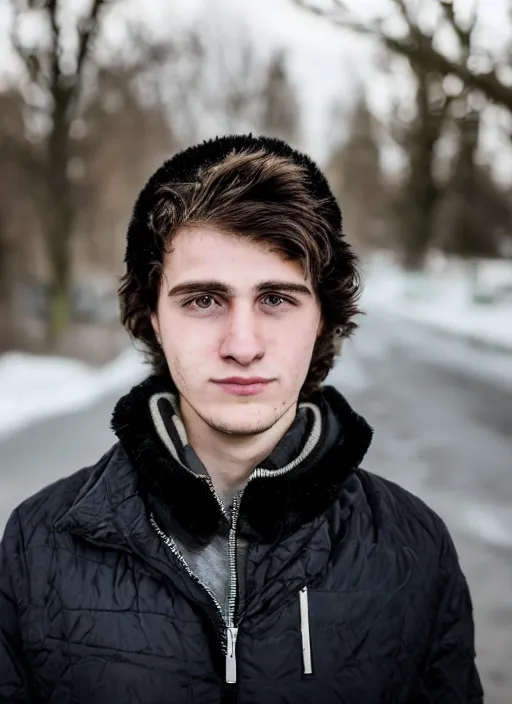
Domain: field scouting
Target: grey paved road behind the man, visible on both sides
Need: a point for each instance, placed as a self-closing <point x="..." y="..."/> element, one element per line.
<point x="442" y="411"/>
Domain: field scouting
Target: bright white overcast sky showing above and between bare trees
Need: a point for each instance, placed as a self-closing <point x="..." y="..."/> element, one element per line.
<point x="326" y="63"/>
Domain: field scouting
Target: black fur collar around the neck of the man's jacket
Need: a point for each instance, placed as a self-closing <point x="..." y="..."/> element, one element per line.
<point x="273" y="506"/>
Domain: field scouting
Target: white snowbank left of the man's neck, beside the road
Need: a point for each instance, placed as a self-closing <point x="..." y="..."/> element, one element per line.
<point x="35" y="387"/>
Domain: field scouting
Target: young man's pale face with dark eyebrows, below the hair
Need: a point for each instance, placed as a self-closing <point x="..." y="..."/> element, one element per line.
<point x="231" y="311"/>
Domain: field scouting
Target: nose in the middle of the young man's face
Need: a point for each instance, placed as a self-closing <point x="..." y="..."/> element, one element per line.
<point x="242" y="341"/>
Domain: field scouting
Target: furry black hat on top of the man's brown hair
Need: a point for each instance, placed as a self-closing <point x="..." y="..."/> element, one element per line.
<point x="183" y="167"/>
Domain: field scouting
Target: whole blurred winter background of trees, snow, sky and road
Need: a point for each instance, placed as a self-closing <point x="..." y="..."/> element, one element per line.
<point x="406" y="105"/>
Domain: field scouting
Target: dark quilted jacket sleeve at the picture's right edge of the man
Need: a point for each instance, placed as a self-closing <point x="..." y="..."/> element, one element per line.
<point x="450" y="675"/>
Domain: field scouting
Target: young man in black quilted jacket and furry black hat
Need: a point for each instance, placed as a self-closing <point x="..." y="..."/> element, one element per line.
<point x="229" y="547"/>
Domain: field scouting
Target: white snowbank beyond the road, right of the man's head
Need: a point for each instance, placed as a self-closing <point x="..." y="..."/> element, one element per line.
<point x="442" y="297"/>
